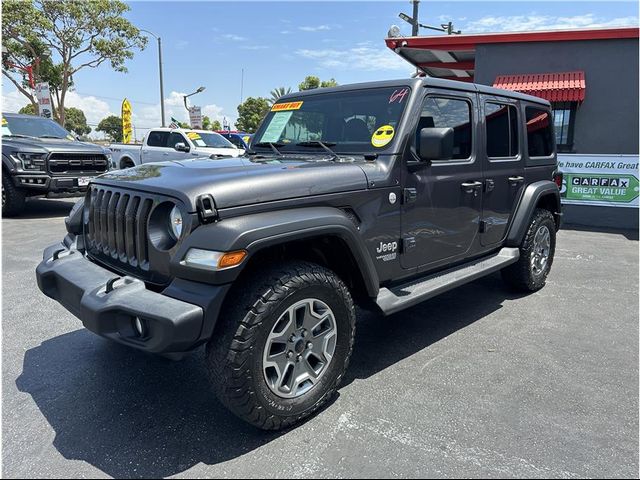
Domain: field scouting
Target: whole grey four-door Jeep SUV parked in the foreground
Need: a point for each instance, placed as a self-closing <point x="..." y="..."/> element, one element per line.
<point x="379" y="194"/>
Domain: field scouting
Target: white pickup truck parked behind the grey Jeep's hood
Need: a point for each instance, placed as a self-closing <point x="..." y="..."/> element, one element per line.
<point x="163" y="144"/>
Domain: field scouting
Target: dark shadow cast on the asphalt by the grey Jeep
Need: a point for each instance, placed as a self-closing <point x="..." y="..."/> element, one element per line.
<point x="133" y="415"/>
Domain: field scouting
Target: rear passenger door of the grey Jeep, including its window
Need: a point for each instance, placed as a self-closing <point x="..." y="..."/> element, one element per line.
<point x="503" y="162"/>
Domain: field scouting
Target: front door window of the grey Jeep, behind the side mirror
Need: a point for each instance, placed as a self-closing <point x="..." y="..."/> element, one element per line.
<point x="440" y="112"/>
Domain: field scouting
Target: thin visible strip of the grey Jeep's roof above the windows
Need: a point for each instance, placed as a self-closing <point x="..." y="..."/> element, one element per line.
<point x="423" y="81"/>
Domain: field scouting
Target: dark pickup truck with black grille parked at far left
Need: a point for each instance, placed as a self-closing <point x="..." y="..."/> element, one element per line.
<point x="40" y="158"/>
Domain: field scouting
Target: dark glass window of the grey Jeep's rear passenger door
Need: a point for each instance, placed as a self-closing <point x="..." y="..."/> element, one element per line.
<point x="501" y="129"/>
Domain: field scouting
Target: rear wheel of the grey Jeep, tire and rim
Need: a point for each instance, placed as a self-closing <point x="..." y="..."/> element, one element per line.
<point x="529" y="273"/>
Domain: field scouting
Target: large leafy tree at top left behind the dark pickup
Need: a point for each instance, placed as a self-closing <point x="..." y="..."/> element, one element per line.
<point x="66" y="36"/>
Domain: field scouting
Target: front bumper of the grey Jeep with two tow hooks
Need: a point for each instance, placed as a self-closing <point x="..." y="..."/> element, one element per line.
<point x="170" y="324"/>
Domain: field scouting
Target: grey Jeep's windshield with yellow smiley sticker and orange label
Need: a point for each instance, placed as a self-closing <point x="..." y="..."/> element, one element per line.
<point x="349" y="122"/>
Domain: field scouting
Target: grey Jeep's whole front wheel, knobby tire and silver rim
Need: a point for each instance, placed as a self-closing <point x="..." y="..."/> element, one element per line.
<point x="283" y="345"/>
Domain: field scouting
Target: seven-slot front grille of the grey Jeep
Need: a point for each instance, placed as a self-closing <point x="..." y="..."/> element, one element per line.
<point x="116" y="230"/>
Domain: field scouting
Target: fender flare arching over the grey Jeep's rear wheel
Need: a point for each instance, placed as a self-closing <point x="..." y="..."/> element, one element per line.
<point x="528" y="202"/>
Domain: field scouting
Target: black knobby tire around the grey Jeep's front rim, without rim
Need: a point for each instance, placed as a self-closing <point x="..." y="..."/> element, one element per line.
<point x="235" y="352"/>
